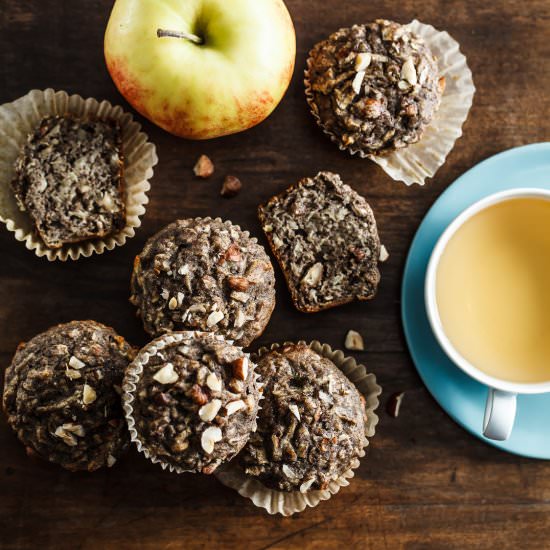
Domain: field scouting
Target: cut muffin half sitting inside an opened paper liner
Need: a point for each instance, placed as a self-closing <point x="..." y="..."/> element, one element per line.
<point x="68" y="178"/>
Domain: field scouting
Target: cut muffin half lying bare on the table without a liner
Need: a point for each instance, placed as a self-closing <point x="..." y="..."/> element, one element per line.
<point x="325" y="239"/>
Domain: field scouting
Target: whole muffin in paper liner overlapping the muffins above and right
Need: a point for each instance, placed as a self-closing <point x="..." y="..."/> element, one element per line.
<point x="191" y="400"/>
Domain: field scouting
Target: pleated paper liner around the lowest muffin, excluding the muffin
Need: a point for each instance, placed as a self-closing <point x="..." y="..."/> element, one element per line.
<point x="289" y="503"/>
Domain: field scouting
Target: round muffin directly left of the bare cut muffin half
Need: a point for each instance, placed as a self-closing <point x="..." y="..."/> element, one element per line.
<point x="207" y="275"/>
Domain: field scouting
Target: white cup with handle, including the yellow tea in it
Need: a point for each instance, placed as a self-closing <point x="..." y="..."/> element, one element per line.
<point x="487" y="295"/>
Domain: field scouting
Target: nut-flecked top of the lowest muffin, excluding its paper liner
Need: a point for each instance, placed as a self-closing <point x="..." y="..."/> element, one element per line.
<point x="311" y="426"/>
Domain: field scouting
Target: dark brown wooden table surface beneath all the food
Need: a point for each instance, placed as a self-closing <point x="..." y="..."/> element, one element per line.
<point x="425" y="482"/>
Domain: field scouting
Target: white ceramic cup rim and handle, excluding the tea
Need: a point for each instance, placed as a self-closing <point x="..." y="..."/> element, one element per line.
<point x="500" y="409"/>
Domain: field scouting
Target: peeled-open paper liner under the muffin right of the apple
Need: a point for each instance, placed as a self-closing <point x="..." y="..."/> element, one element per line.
<point x="421" y="160"/>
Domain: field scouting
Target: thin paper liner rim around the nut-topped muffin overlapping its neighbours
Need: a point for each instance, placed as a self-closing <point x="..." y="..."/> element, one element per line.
<point x="131" y="378"/>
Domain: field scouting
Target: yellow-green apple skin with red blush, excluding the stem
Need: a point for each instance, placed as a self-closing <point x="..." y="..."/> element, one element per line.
<point x="231" y="82"/>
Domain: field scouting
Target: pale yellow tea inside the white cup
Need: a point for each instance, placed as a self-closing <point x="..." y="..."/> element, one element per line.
<point x="493" y="290"/>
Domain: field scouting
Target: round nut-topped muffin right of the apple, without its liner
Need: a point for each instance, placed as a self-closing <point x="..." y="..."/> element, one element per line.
<point x="374" y="87"/>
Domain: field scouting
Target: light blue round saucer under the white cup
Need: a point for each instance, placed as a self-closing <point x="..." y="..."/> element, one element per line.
<point x="460" y="396"/>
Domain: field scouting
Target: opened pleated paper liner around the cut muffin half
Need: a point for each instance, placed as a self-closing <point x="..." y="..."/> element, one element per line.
<point x="21" y="117"/>
